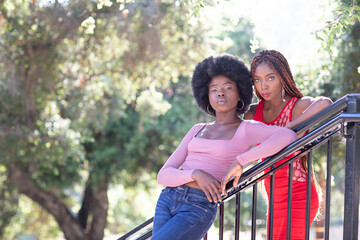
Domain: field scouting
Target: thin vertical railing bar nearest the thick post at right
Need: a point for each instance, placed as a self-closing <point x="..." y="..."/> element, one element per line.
<point x="328" y="188"/>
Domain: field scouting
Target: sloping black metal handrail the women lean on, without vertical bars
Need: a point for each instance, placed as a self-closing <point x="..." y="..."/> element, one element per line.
<point x="304" y="144"/>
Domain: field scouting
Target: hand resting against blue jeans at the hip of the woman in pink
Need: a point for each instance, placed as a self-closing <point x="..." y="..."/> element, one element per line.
<point x="209" y="185"/>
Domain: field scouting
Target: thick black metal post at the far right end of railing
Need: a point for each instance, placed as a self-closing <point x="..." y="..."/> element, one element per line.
<point x="352" y="173"/>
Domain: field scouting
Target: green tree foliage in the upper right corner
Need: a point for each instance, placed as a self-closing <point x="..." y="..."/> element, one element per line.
<point x="340" y="39"/>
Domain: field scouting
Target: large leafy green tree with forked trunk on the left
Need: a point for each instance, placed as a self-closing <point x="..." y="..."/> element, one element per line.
<point x="81" y="87"/>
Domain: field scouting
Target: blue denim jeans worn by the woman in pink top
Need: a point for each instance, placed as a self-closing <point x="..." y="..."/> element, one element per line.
<point x="183" y="213"/>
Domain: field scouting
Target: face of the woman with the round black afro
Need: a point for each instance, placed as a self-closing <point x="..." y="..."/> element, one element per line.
<point x="223" y="94"/>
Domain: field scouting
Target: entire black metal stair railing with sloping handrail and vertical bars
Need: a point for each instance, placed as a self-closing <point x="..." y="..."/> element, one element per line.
<point x="342" y="119"/>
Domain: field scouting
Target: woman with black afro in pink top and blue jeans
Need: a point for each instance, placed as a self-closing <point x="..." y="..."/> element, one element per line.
<point x="187" y="207"/>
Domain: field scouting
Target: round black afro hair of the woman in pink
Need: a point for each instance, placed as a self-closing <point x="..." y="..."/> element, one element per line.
<point x="228" y="66"/>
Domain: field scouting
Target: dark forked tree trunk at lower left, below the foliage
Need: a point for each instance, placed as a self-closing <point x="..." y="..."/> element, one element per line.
<point x="95" y="203"/>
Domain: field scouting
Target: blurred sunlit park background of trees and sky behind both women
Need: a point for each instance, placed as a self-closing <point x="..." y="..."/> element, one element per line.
<point x="95" y="95"/>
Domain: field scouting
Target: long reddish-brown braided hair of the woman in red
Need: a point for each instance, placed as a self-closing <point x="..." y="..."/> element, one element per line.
<point x="278" y="63"/>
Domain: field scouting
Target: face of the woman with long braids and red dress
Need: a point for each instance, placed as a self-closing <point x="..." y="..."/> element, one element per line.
<point x="267" y="82"/>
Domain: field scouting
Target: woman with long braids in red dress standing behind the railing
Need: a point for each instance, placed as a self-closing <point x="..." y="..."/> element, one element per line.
<point x="282" y="104"/>
